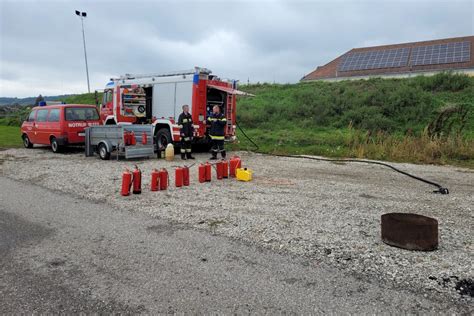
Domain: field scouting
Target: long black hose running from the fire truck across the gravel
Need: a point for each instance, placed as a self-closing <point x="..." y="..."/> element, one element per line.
<point x="441" y="189"/>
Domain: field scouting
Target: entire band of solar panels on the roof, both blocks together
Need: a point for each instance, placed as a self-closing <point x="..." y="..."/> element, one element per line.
<point x="399" y="57"/>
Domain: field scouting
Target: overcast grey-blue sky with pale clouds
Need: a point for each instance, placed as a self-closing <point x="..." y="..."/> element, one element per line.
<point x="274" y="41"/>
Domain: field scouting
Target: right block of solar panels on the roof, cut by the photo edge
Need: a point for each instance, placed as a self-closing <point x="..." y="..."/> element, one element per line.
<point x="441" y="54"/>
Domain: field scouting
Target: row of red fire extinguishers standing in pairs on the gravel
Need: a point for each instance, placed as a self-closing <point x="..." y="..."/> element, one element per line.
<point x="160" y="178"/>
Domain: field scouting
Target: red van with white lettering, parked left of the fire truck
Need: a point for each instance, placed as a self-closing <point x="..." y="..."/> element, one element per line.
<point x="58" y="125"/>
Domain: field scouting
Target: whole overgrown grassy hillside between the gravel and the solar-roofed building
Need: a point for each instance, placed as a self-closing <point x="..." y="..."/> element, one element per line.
<point x="421" y="119"/>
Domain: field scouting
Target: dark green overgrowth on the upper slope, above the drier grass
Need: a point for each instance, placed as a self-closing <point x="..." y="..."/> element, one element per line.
<point x="390" y="105"/>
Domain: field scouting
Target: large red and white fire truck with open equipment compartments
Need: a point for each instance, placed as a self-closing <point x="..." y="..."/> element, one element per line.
<point x="157" y="99"/>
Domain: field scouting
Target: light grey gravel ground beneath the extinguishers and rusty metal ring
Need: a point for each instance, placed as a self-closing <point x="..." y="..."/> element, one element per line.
<point x="322" y="210"/>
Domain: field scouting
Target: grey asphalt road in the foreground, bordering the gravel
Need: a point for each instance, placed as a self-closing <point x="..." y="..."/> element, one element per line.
<point x="62" y="254"/>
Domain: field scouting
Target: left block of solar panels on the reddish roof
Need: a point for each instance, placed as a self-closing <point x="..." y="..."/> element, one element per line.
<point x="374" y="59"/>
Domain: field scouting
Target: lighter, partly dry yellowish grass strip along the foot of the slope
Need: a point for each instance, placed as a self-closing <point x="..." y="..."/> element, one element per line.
<point x="351" y="143"/>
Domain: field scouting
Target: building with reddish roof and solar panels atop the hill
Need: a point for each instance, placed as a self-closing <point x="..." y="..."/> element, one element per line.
<point x="400" y="60"/>
